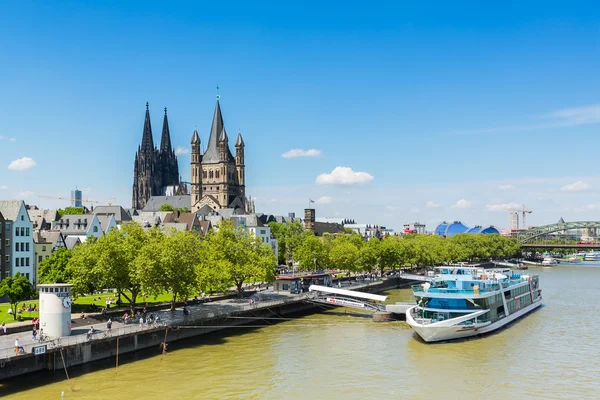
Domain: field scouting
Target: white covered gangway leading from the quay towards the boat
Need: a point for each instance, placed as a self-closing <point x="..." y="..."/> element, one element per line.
<point x="346" y="298"/>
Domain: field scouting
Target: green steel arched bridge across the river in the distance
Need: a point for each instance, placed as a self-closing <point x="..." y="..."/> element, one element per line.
<point x="560" y="235"/>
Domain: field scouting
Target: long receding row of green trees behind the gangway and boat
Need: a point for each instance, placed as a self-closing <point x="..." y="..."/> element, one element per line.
<point x="350" y="252"/>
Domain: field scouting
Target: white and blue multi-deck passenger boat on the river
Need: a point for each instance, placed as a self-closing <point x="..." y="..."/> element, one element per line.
<point x="462" y="302"/>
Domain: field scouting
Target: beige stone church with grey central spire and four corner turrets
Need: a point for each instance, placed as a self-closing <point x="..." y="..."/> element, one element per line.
<point x="218" y="177"/>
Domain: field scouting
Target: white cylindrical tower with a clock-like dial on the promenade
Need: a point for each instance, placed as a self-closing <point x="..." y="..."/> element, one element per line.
<point x="55" y="309"/>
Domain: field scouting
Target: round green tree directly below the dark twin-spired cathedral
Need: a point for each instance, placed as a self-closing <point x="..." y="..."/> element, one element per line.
<point x="168" y="263"/>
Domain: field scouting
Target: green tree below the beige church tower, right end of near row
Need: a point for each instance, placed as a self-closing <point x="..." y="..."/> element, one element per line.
<point x="240" y="256"/>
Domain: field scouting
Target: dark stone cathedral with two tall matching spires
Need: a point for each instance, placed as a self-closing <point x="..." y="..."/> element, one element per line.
<point x="154" y="169"/>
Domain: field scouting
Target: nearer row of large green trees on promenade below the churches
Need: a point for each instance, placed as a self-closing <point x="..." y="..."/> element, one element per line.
<point x="136" y="261"/>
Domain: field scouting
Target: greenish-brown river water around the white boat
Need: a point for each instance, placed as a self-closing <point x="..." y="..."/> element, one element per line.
<point x="550" y="354"/>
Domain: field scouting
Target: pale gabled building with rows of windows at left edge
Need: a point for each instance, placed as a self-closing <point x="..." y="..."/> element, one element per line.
<point x="19" y="248"/>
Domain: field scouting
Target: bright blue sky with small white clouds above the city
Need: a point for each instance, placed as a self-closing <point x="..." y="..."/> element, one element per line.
<point x="385" y="113"/>
